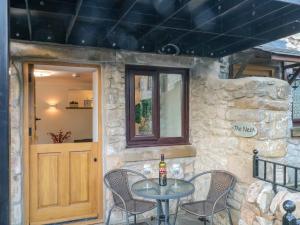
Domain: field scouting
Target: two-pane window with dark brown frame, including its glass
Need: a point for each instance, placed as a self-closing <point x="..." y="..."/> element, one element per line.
<point x="157" y="106"/>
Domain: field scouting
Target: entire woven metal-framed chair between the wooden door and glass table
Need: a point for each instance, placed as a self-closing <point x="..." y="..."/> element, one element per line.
<point x="117" y="182"/>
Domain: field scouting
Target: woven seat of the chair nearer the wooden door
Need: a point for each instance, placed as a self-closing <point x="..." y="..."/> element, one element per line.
<point x="136" y="206"/>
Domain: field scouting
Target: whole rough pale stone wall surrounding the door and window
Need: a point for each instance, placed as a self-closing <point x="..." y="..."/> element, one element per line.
<point x="214" y="104"/>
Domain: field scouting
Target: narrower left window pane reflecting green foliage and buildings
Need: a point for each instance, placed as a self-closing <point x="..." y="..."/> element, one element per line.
<point x="143" y="105"/>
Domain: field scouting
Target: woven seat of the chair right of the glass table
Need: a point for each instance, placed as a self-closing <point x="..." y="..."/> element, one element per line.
<point x="202" y="208"/>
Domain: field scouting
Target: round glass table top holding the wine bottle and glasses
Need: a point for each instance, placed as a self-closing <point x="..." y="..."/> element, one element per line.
<point x="175" y="189"/>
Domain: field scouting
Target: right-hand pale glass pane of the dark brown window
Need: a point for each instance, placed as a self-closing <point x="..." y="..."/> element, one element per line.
<point x="170" y="104"/>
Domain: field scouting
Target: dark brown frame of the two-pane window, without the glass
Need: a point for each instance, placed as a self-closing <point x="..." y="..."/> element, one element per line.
<point x="155" y="140"/>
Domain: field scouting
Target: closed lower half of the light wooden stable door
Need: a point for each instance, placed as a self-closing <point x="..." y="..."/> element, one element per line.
<point x="63" y="181"/>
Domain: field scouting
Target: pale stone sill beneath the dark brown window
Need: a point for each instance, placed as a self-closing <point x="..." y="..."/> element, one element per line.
<point x="153" y="153"/>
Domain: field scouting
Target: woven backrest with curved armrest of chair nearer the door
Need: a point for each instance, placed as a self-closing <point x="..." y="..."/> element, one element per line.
<point x="117" y="181"/>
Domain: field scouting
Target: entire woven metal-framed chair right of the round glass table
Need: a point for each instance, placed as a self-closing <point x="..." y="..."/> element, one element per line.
<point x="221" y="183"/>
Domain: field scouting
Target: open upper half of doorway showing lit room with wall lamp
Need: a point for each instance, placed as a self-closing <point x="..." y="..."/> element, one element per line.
<point x="64" y="99"/>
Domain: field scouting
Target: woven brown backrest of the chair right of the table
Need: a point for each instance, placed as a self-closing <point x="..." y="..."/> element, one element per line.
<point x="221" y="182"/>
